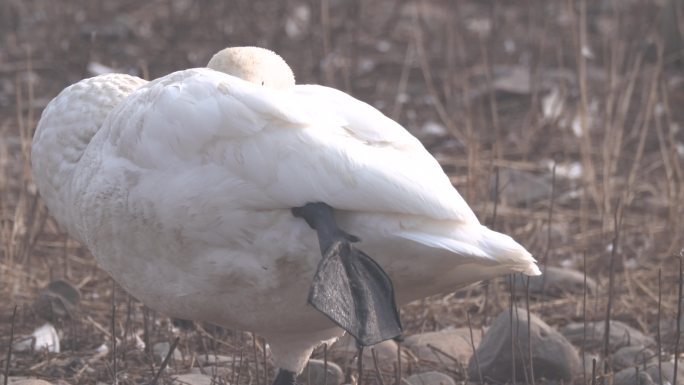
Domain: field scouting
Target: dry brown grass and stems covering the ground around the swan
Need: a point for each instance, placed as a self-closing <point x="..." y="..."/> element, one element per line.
<point x="594" y="87"/>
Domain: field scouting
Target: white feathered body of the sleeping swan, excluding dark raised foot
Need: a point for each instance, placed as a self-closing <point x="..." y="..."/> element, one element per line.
<point x="182" y="188"/>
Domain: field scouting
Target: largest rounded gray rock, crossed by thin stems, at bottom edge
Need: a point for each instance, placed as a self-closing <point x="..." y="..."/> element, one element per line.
<point x="553" y="356"/>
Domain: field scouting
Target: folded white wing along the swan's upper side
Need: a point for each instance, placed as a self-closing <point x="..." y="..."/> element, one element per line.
<point x="284" y="148"/>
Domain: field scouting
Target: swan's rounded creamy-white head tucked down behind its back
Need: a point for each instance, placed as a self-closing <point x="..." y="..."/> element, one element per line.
<point x="256" y="65"/>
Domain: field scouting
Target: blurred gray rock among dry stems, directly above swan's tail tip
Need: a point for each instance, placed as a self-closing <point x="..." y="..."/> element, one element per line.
<point x="520" y="187"/>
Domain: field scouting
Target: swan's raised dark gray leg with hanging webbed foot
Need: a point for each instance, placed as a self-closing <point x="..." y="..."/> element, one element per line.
<point x="349" y="287"/>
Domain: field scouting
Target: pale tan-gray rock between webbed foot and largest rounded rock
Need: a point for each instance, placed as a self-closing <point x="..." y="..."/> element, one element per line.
<point x="454" y="342"/>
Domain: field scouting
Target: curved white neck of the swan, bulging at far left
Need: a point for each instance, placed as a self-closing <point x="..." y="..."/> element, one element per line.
<point x="65" y="129"/>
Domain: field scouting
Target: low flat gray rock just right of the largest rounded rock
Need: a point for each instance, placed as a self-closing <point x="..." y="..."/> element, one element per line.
<point x="621" y="335"/>
